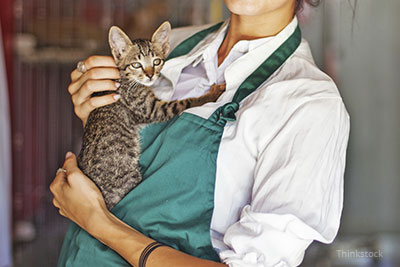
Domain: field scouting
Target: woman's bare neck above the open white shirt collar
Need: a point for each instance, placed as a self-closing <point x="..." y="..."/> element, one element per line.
<point x="254" y="27"/>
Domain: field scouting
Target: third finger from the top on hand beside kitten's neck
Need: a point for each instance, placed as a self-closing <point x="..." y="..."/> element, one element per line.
<point x="92" y="86"/>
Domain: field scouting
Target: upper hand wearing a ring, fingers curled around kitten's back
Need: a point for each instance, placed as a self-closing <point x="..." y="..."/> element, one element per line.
<point x="99" y="76"/>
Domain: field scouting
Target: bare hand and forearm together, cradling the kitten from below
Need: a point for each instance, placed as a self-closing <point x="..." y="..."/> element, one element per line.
<point x="78" y="199"/>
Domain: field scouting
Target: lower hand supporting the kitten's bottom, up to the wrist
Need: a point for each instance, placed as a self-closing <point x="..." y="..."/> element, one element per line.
<point x="75" y="195"/>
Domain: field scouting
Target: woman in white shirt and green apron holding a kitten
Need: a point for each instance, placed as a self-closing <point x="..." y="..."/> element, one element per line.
<point x="281" y="142"/>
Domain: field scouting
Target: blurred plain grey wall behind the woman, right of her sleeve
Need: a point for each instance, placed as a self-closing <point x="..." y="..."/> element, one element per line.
<point x="366" y="61"/>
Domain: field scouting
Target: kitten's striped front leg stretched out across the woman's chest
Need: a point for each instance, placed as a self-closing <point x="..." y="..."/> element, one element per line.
<point x="165" y="110"/>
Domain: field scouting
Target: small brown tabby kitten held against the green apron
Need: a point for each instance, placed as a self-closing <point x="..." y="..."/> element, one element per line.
<point x="111" y="142"/>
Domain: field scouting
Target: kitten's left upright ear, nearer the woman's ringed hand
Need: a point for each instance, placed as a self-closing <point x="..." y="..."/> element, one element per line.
<point x="119" y="43"/>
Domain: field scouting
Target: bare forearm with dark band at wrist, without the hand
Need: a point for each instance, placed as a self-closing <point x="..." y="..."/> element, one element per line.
<point x="130" y="243"/>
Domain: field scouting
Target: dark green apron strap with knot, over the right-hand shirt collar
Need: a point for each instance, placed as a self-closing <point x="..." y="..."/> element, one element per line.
<point x="261" y="74"/>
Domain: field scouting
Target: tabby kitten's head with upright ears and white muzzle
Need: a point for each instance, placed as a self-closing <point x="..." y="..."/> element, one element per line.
<point x="140" y="60"/>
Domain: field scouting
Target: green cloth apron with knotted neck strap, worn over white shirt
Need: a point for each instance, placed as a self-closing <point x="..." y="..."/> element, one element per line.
<point x="174" y="202"/>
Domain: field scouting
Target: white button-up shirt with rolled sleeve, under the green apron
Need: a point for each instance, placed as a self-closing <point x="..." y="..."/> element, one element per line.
<point x="280" y="165"/>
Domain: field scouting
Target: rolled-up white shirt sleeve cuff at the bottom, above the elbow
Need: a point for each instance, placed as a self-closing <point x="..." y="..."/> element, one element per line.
<point x="267" y="239"/>
